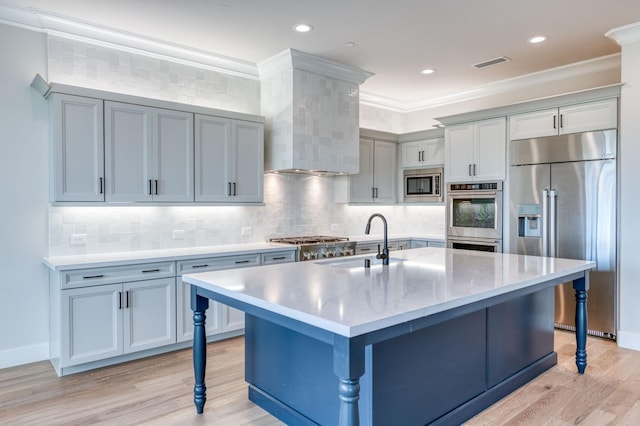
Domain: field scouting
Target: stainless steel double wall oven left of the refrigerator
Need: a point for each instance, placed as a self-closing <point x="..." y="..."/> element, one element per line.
<point x="474" y="215"/>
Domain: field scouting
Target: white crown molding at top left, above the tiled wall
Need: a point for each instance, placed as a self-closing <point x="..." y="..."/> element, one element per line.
<point x="70" y="28"/>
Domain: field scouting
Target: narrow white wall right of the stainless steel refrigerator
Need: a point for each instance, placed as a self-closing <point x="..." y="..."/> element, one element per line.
<point x="629" y="153"/>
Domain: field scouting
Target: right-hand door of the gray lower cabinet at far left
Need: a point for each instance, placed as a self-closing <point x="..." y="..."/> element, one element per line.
<point x="149" y="314"/>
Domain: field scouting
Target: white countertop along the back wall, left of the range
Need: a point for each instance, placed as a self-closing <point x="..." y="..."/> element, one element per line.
<point x="132" y="257"/>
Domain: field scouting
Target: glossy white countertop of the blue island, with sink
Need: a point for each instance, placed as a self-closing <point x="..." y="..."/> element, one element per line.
<point x="341" y="296"/>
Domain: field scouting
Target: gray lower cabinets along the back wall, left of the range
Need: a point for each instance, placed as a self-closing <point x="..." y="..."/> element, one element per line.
<point x="105" y="315"/>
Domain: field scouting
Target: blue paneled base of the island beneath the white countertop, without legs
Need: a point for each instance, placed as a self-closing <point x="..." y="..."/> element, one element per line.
<point x="444" y="373"/>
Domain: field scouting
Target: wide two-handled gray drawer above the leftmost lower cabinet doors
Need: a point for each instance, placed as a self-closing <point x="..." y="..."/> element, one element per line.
<point x="117" y="274"/>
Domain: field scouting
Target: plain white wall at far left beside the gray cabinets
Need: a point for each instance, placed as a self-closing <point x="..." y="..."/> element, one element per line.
<point x="24" y="195"/>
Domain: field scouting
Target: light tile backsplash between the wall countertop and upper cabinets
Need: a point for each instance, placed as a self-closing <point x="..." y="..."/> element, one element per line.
<point x="294" y="205"/>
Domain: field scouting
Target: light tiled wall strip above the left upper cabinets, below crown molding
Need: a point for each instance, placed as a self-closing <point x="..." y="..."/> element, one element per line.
<point x="87" y="65"/>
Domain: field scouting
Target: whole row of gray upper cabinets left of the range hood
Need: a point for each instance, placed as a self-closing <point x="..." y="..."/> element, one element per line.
<point x="116" y="148"/>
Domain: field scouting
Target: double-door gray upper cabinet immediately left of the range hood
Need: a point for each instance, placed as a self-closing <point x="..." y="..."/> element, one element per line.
<point x="229" y="160"/>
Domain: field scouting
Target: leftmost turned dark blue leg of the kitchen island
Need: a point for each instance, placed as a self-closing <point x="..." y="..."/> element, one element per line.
<point x="199" y="305"/>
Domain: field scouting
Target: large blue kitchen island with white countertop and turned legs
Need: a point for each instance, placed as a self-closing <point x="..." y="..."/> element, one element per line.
<point x="435" y="337"/>
